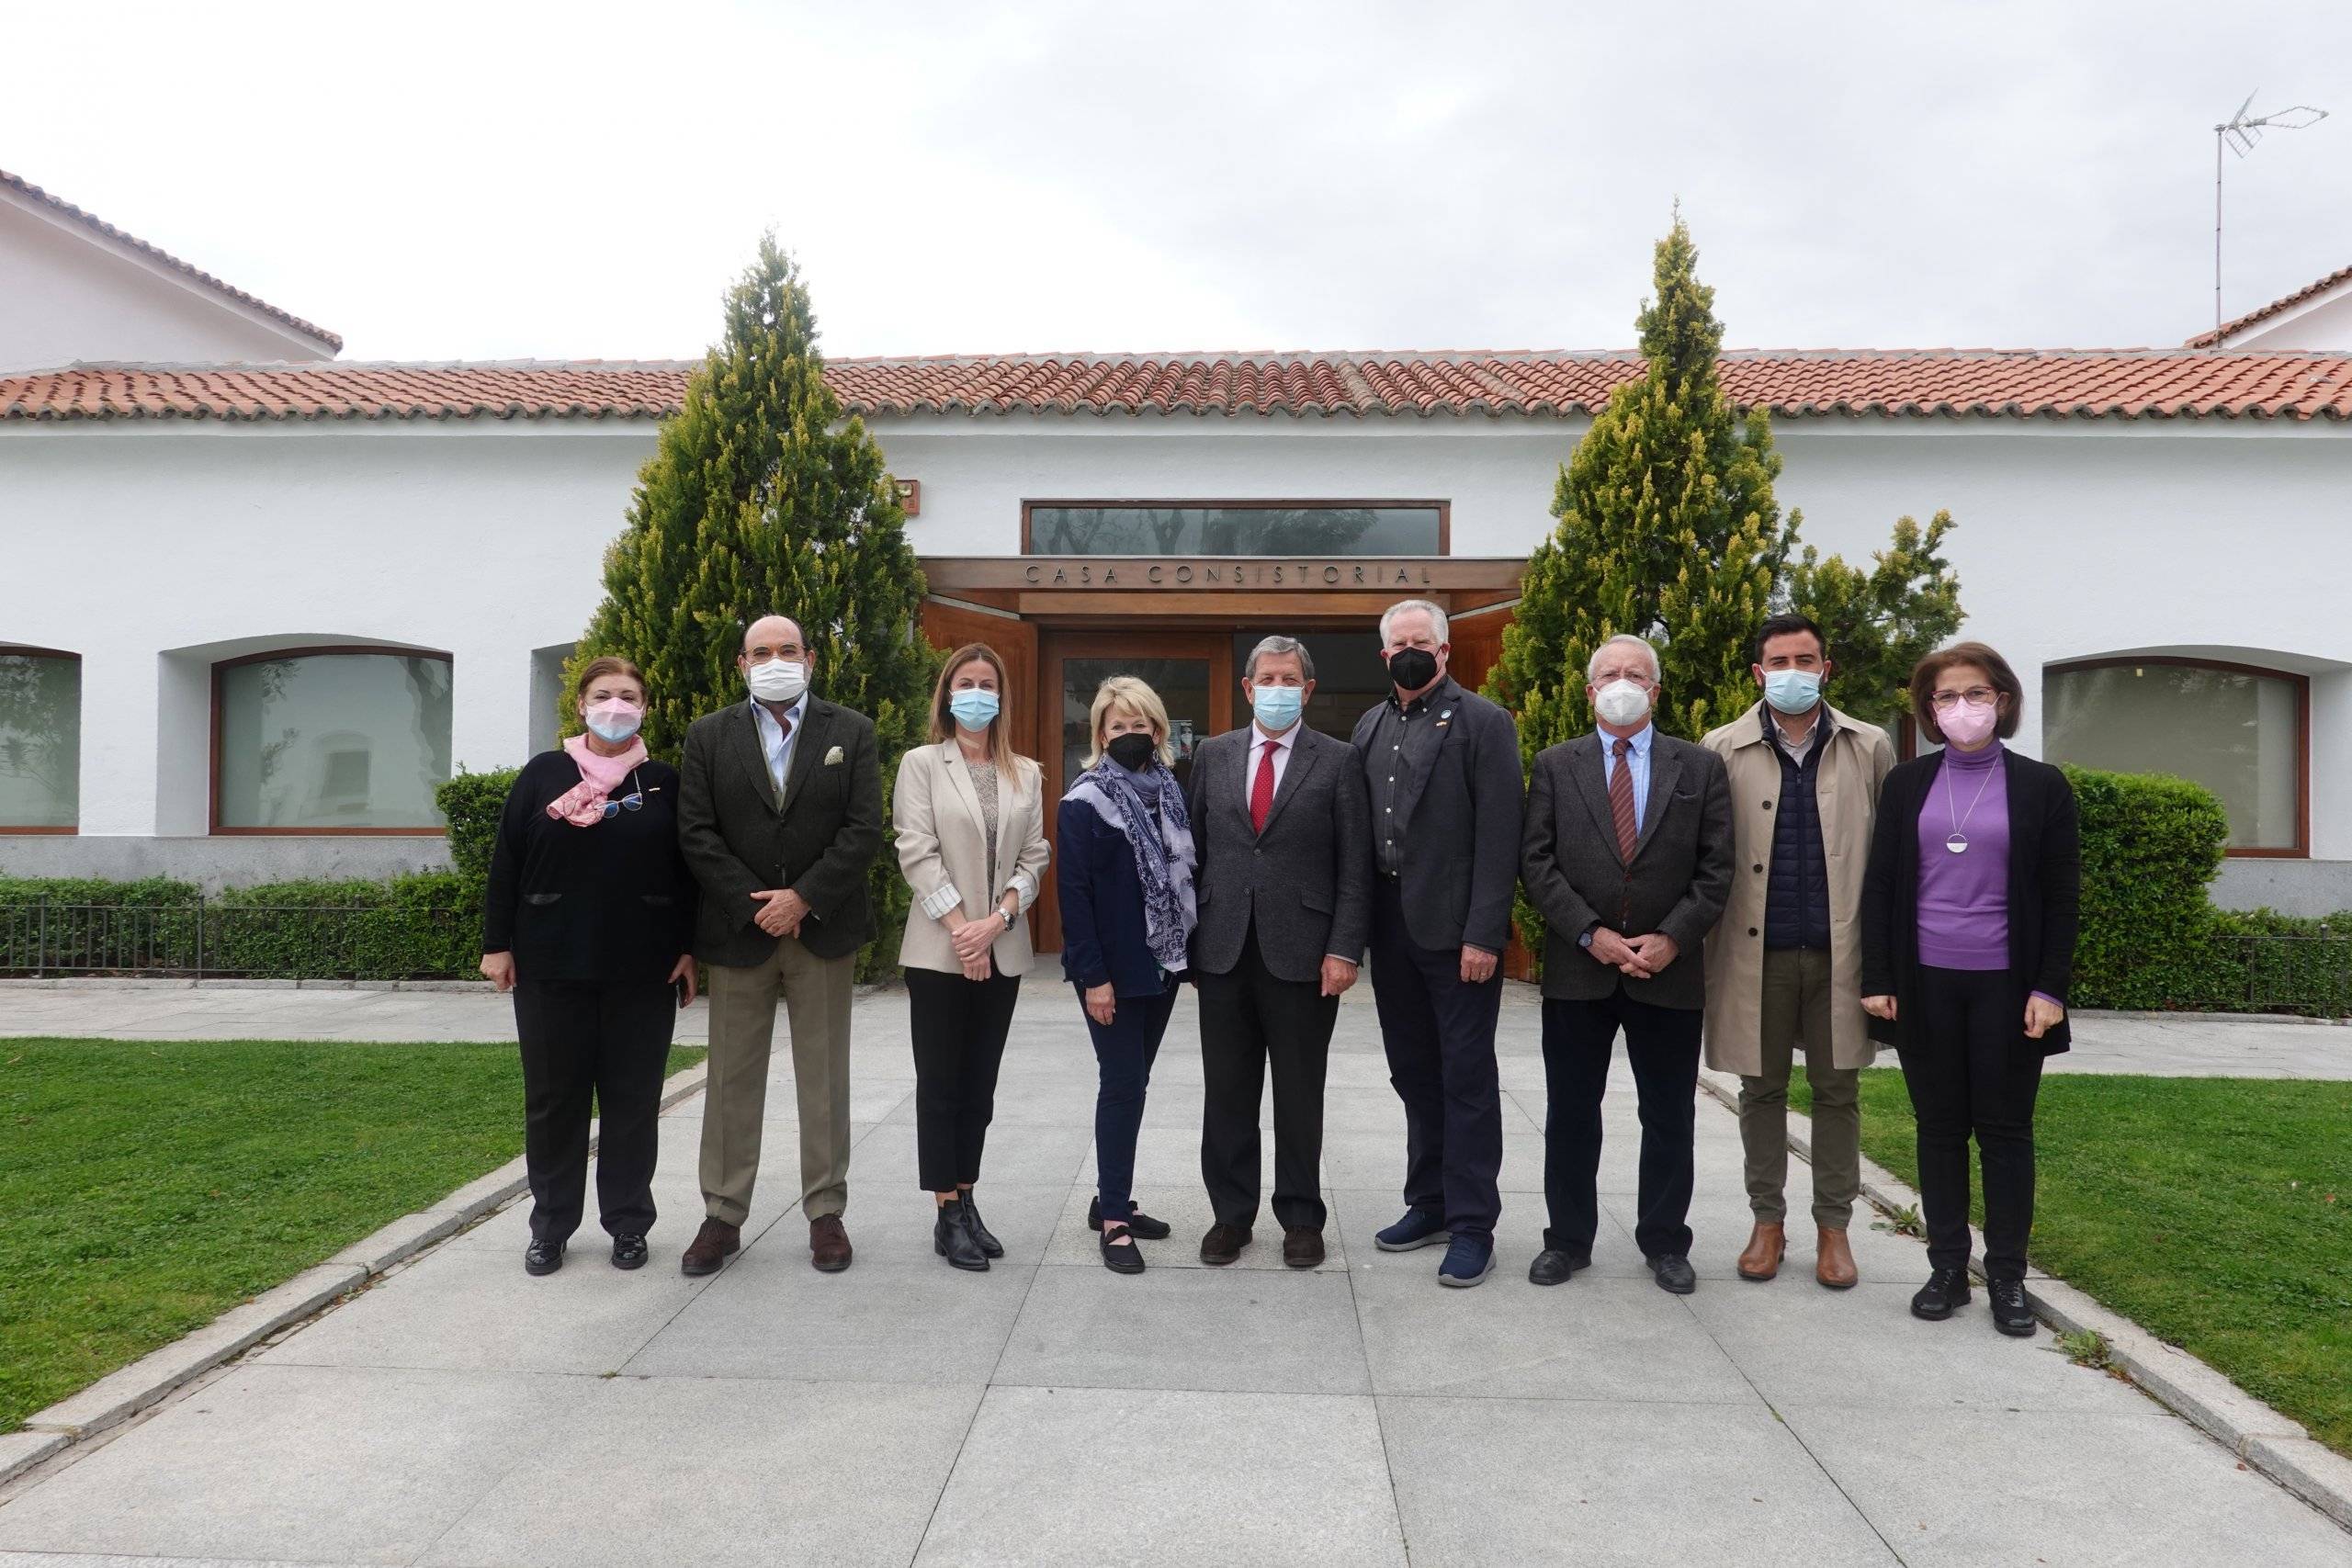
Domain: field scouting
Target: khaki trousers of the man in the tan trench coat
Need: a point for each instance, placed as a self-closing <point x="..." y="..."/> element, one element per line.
<point x="1798" y="1012"/>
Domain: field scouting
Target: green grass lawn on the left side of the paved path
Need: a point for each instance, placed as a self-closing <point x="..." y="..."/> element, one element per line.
<point x="152" y="1186"/>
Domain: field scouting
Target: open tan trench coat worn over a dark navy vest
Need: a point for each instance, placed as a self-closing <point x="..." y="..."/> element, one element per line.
<point x="1845" y="791"/>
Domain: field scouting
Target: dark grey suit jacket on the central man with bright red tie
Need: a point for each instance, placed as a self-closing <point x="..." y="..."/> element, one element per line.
<point x="1307" y="880"/>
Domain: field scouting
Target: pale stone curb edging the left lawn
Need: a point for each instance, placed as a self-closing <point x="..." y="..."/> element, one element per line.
<point x="133" y="1388"/>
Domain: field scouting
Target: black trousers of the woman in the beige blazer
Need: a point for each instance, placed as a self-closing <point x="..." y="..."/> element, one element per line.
<point x="958" y="1028"/>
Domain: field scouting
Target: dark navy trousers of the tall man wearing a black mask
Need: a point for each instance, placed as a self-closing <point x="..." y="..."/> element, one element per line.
<point x="1441" y="1061"/>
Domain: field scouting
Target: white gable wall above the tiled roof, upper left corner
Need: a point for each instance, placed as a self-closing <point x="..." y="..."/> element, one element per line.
<point x="69" y="295"/>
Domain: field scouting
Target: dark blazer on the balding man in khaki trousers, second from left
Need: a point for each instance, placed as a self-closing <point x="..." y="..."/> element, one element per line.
<point x="820" y="843"/>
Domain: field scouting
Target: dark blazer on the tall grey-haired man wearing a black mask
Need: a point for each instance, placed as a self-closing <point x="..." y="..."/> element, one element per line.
<point x="1462" y="852"/>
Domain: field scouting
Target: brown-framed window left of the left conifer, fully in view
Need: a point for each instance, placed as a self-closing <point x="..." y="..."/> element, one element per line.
<point x="330" y="742"/>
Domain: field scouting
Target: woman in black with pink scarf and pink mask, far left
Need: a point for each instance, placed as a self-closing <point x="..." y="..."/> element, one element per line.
<point x="589" y="920"/>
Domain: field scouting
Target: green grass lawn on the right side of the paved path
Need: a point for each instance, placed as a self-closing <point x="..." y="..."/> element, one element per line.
<point x="2212" y="1212"/>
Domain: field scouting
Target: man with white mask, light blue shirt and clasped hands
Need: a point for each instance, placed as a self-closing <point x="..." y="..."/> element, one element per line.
<point x="1629" y="857"/>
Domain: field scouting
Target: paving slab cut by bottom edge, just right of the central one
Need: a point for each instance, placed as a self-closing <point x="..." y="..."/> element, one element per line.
<point x="1603" y="1485"/>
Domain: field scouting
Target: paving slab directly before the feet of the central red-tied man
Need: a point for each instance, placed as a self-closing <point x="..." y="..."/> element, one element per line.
<point x="1189" y="1329"/>
